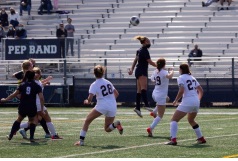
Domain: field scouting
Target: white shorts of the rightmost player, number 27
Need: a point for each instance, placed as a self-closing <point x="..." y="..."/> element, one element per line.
<point x="189" y="105"/>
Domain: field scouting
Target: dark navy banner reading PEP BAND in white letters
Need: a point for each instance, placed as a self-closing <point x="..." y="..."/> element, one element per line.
<point x="19" y="49"/>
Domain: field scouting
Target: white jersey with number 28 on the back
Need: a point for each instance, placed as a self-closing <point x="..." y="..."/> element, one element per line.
<point x="104" y="91"/>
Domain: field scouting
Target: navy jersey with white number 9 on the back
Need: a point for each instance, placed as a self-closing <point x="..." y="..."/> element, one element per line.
<point x="28" y="91"/>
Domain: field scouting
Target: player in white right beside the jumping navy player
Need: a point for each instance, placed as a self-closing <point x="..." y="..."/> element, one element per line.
<point x="161" y="78"/>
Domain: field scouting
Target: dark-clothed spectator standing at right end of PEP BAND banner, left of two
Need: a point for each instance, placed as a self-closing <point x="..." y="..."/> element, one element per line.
<point x="61" y="33"/>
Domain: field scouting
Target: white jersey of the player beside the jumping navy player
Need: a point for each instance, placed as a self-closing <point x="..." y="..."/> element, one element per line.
<point x="161" y="82"/>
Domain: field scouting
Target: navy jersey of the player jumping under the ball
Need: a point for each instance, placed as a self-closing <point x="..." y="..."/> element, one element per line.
<point x="142" y="65"/>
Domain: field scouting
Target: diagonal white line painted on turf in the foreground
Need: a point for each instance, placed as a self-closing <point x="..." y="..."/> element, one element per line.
<point x="140" y="146"/>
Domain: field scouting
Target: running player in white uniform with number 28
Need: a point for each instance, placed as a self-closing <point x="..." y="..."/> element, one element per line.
<point x="106" y="95"/>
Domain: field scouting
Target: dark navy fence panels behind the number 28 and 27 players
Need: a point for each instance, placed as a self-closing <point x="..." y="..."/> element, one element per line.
<point x="215" y="90"/>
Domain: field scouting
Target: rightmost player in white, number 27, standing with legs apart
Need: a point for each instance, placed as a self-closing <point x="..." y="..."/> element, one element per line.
<point x="191" y="93"/>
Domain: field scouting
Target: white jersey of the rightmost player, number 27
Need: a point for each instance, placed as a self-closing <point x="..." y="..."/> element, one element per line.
<point x="190" y="85"/>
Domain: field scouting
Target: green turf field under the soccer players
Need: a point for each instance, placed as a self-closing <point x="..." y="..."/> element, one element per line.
<point x="219" y="126"/>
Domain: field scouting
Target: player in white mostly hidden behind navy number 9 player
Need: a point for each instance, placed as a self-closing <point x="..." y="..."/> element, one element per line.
<point x="45" y="114"/>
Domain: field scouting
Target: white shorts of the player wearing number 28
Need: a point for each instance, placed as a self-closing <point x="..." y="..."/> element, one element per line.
<point x="108" y="110"/>
